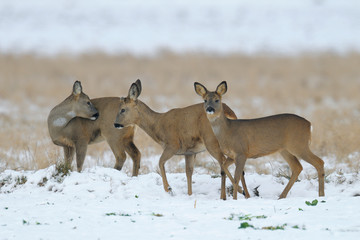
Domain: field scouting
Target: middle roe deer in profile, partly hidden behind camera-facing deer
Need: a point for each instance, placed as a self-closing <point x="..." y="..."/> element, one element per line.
<point x="180" y="131"/>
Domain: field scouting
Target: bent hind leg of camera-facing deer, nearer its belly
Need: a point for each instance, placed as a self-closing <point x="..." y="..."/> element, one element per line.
<point x="296" y="169"/>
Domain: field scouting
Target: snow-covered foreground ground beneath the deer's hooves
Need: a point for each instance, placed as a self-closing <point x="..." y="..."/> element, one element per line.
<point x="102" y="203"/>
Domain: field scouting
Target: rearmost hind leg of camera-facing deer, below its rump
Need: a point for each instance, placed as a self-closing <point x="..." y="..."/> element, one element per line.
<point x="318" y="163"/>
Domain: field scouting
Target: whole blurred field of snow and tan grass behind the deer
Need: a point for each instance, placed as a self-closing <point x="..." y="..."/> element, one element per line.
<point x="300" y="57"/>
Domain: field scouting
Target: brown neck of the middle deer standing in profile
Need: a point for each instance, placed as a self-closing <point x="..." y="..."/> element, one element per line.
<point x="149" y="120"/>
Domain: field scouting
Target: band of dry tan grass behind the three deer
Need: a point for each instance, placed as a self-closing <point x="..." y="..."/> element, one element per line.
<point x="323" y="88"/>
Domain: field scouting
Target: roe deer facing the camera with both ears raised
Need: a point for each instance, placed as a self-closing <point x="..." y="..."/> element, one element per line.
<point x="240" y="139"/>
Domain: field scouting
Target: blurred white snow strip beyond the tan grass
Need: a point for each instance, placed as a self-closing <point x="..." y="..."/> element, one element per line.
<point x="145" y="27"/>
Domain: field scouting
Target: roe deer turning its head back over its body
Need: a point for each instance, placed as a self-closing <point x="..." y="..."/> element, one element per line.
<point x="72" y="125"/>
